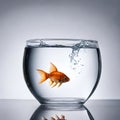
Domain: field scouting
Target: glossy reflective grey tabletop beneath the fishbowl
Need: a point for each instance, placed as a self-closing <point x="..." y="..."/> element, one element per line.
<point x="26" y="109"/>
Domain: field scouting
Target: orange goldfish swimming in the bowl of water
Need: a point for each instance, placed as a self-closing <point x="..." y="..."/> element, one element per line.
<point x="55" y="76"/>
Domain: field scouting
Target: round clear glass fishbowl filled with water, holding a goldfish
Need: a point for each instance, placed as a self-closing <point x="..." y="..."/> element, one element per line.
<point x="62" y="70"/>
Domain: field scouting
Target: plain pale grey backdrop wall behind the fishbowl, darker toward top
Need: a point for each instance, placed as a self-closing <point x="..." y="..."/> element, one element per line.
<point x="22" y="20"/>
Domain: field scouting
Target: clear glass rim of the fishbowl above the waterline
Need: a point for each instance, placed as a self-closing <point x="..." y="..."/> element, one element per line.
<point x="61" y="42"/>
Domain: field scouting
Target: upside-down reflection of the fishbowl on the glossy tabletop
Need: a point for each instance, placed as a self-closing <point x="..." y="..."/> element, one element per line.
<point x="62" y="112"/>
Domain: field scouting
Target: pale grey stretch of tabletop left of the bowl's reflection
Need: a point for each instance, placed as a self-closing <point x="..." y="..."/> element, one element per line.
<point x="17" y="109"/>
